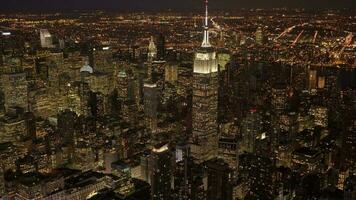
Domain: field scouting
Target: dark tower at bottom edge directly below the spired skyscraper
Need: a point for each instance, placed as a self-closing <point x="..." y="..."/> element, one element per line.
<point x="219" y="180"/>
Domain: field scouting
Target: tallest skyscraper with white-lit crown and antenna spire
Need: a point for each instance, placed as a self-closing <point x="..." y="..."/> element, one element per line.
<point x="205" y="99"/>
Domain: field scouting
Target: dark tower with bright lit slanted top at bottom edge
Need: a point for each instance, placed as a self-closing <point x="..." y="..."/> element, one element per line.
<point x="161" y="172"/>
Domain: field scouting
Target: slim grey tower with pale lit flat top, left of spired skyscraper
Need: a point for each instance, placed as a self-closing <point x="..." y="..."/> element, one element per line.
<point x="150" y="106"/>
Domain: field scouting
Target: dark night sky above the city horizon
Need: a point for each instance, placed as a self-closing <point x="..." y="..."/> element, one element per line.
<point x="152" y="5"/>
